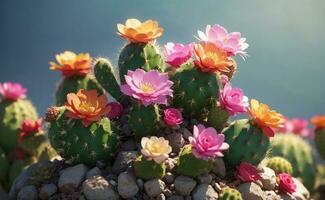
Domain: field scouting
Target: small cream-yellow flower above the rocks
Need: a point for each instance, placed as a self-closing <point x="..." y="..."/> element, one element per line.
<point x="155" y="148"/>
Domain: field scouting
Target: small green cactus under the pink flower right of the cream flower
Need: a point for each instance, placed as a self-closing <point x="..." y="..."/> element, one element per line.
<point x="189" y="165"/>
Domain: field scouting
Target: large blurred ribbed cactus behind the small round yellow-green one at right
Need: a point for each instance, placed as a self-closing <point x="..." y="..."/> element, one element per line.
<point x="299" y="153"/>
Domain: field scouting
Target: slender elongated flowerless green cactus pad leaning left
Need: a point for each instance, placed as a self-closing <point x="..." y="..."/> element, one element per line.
<point x="105" y="75"/>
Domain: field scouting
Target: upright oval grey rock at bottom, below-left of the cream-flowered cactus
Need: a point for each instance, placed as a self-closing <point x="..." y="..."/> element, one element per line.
<point x="126" y="185"/>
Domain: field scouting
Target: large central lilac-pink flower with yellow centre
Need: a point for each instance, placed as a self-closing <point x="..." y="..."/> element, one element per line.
<point x="149" y="87"/>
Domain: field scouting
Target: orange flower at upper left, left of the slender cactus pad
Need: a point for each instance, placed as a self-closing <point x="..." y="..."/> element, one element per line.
<point x="71" y="64"/>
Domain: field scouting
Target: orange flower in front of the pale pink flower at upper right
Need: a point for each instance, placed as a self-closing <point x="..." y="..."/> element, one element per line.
<point x="210" y="58"/>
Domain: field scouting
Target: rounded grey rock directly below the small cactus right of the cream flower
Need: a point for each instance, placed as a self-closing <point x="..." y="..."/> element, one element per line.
<point x="184" y="185"/>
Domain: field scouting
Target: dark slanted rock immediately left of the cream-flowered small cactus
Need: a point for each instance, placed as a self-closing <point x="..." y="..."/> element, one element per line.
<point x="123" y="160"/>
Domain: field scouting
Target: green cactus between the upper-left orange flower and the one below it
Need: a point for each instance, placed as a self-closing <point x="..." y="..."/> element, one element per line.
<point x="74" y="84"/>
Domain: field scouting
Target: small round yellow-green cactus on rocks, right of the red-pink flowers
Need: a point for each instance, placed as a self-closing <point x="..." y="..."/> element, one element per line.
<point x="279" y="165"/>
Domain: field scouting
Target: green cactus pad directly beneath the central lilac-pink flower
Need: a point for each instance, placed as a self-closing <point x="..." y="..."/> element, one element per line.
<point x="143" y="121"/>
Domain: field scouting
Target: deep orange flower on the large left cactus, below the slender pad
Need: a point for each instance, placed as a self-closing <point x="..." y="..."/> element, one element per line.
<point x="85" y="105"/>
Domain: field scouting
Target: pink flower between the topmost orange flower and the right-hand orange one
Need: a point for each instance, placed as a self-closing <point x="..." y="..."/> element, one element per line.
<point x="177" y="54"/>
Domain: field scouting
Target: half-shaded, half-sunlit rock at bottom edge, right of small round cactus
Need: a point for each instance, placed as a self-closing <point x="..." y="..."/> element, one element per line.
<point x="251" y="191"/>
